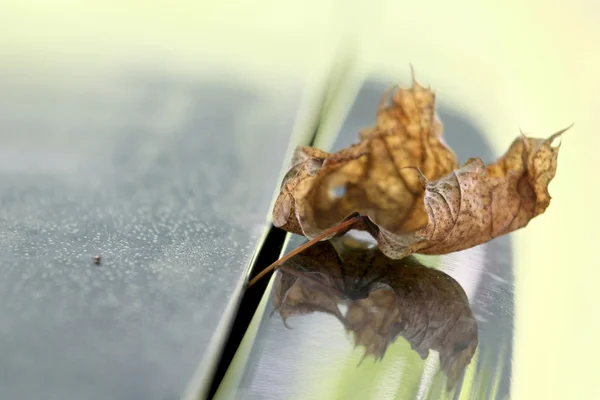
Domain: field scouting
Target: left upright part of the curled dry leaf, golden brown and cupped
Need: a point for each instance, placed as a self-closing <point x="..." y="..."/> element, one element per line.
<point x="368" y="177"/>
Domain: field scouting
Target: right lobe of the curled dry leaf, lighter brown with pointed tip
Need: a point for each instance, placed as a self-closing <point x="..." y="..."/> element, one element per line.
<point x="475" y="203"/>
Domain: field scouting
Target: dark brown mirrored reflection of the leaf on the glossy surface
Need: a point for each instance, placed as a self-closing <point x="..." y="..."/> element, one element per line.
<point x="385" y="299"/>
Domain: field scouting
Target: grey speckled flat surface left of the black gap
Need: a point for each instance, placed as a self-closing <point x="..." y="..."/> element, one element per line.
<point x="171" y="182"/>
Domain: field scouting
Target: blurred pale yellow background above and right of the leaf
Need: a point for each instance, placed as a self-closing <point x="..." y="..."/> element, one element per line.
<point x="510" y="65"/>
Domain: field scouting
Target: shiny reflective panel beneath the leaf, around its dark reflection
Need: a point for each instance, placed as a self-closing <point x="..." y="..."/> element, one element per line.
<point x="317" y="359"/>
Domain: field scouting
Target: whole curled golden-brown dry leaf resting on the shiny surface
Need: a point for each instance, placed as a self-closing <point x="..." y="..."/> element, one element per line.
<point x="405" y="184"/>
